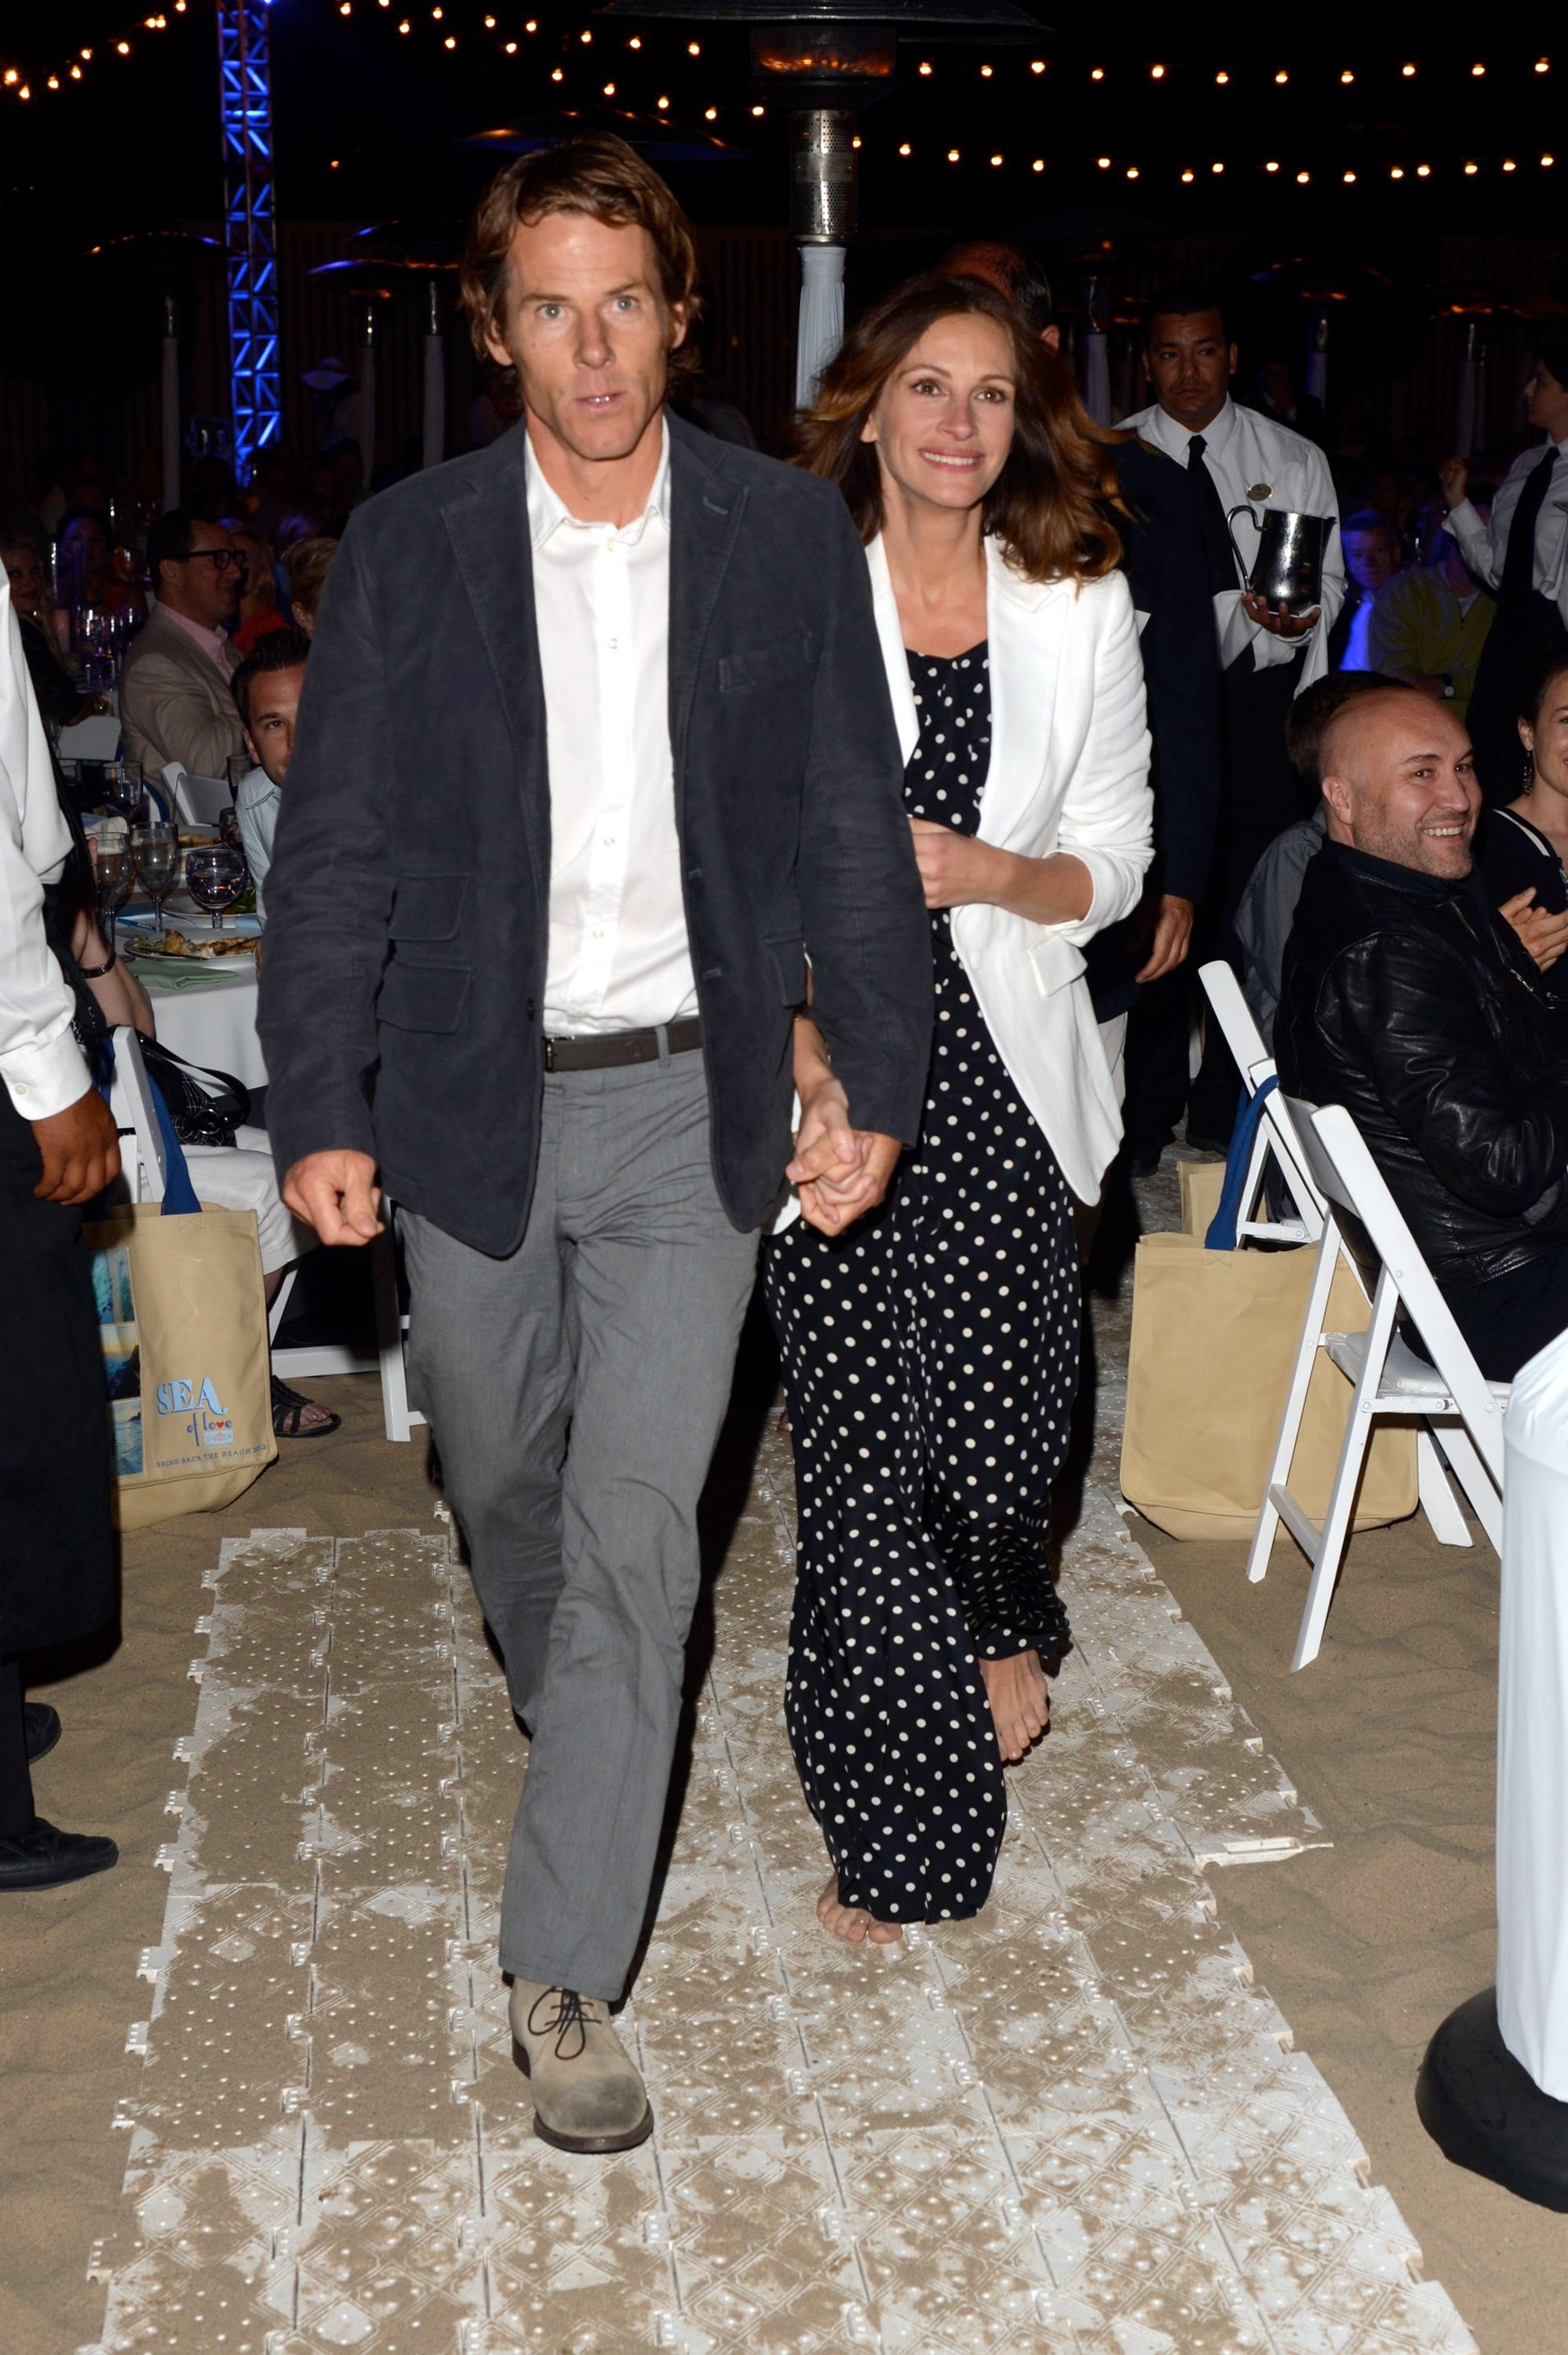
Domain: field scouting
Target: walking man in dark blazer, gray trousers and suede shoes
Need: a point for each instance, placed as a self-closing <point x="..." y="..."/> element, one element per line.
<point x="594" y="755"/>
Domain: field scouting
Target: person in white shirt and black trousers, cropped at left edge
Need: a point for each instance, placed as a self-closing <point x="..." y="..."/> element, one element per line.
<point x="58" y="1150"/>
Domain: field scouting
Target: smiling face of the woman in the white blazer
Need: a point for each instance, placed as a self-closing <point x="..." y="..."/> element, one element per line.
<point x="943" y="425"/>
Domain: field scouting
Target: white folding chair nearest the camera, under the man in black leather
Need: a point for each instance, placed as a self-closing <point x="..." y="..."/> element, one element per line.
<point x="1459" y="1409"/>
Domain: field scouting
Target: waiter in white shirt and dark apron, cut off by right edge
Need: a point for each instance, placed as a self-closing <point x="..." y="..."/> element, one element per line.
<point x="1524" y="557"/>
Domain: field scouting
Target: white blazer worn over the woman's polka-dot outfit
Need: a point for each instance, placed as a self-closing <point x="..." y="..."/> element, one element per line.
<point x="1070" y="771"/>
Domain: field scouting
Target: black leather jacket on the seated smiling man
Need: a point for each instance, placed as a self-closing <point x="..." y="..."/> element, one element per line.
<point x="1416" y="1007"/>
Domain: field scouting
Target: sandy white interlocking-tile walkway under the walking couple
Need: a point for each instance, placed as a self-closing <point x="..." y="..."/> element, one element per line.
<point x="1070" y="2128"/>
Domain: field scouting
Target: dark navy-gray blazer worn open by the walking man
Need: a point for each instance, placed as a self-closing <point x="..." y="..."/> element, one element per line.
<point x="408" y="898"/>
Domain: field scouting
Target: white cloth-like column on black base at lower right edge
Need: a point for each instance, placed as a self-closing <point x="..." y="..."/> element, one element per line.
<point x="1534" y="1725"/>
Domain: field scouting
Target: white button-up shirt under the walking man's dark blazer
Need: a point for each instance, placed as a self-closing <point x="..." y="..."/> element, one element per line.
<point x="620" y="955"/>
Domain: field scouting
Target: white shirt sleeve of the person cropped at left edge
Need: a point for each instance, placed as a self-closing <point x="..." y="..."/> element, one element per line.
<point x="39" y="1056"/>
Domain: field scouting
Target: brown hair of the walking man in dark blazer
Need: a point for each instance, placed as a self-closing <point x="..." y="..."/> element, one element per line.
<point x="609" y="183"/>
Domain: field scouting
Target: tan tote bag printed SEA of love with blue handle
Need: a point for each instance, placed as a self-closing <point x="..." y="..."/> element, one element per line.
<point x="182" y="1318"/>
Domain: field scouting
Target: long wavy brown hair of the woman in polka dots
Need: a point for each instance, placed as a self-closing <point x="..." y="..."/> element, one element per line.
<point x="1049" y="505"/>
